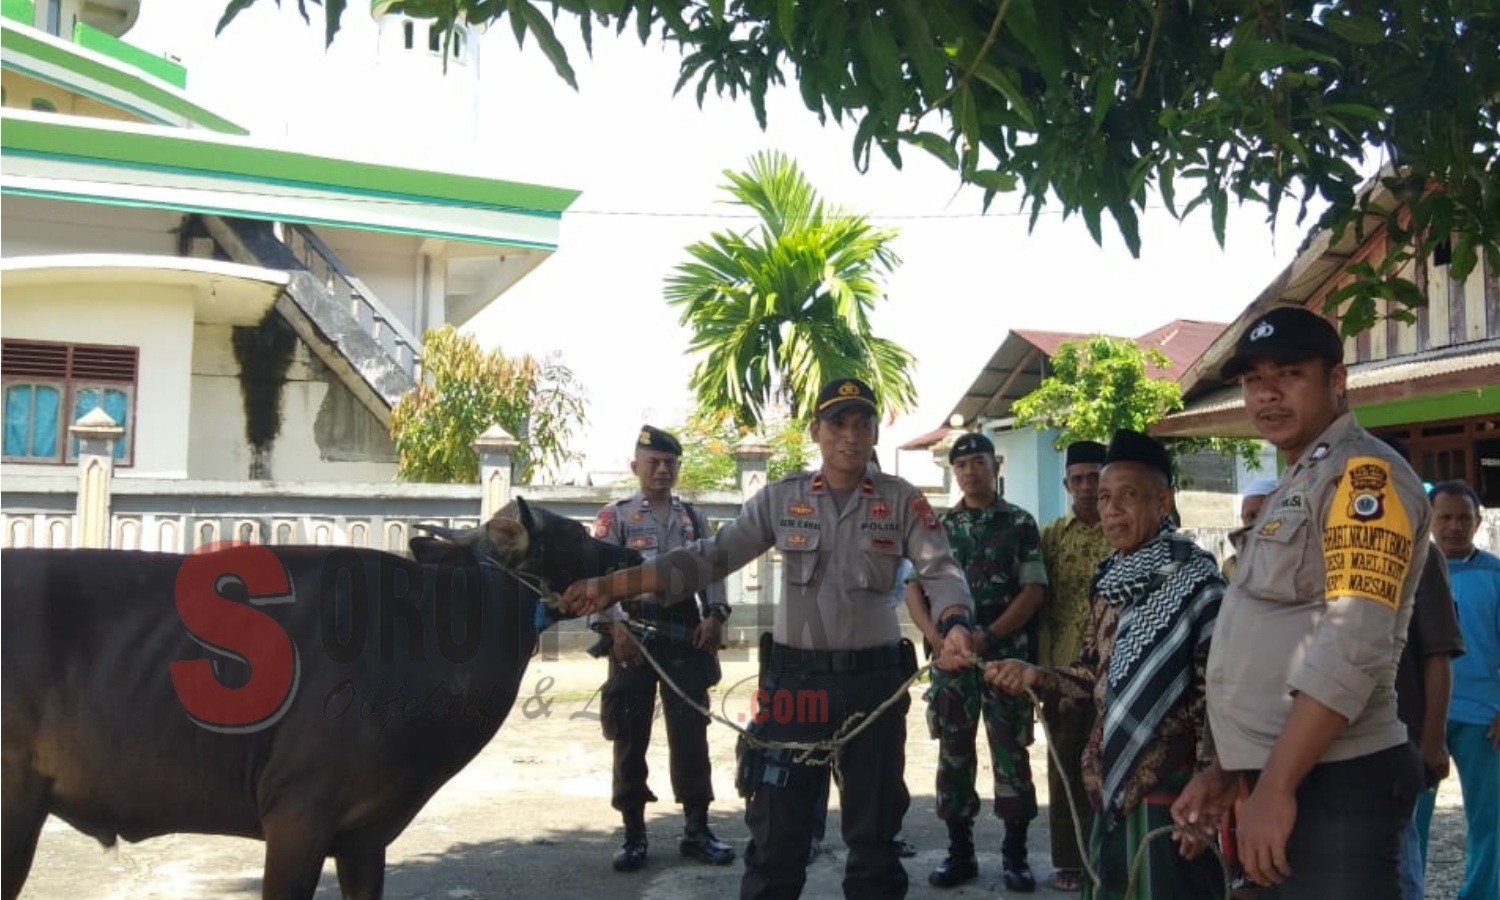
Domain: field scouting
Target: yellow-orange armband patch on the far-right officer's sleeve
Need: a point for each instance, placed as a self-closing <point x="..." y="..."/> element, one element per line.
<point x="1367" y="542"/>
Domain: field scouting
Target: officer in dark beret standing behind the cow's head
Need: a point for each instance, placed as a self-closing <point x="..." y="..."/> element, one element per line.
<point x="688" y="638"/>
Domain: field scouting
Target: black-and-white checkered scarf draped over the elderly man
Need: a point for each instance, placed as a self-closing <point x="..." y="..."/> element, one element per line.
<point x="1169" y="592"/>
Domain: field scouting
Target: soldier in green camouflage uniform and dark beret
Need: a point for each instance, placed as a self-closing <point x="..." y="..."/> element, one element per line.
<point x="1000" y="548"/>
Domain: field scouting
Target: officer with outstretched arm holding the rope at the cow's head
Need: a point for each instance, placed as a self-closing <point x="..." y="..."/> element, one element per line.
<point x="836" y="649"/>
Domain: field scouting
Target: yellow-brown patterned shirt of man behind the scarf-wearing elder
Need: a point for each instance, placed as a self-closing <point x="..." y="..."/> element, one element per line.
<point x="1072" y="550"/>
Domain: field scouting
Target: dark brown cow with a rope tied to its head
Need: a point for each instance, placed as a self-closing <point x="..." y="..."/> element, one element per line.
<point x="310" y="697"/>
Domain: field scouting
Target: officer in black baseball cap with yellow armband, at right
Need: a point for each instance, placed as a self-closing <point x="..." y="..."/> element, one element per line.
<point x="1301" y="677"/>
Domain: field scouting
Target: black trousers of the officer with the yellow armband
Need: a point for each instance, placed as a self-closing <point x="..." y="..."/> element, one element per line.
<point x="1346" y="844"/>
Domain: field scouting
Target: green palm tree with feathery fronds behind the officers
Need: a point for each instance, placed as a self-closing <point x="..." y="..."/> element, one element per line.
<point x="784" y="308"/>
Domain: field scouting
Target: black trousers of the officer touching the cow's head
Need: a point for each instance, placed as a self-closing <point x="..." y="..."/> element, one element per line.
<point x="874" y="788"/>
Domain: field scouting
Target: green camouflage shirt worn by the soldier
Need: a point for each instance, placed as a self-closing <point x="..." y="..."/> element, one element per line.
<point x="1000" y="551"/>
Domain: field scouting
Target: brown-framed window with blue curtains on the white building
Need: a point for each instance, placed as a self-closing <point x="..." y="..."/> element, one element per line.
<point x="52" y="386"/>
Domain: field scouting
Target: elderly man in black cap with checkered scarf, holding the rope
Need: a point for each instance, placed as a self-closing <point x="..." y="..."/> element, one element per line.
<point x="1142" y="667"/>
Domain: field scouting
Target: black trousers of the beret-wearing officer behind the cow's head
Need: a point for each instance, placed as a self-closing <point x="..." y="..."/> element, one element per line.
<point x="628" y="710"/>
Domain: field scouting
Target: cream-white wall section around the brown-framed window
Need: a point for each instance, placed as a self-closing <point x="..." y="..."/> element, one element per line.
<point x="155" y="319"/>
